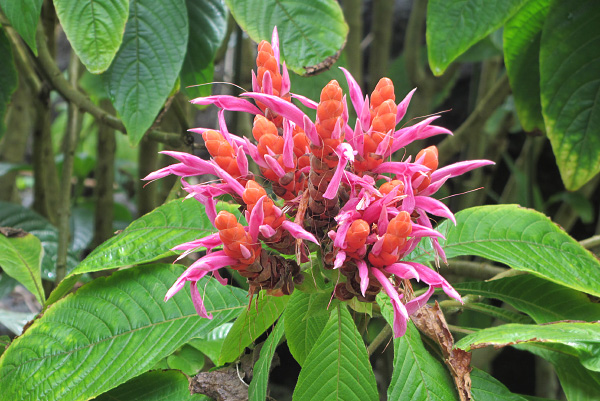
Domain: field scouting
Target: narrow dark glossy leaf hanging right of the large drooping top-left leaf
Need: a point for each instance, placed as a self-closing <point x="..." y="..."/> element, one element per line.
<point x="208" y="24"/>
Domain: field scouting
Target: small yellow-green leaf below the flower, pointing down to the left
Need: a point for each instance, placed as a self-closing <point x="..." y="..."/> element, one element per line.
<point x="250" y="324"/>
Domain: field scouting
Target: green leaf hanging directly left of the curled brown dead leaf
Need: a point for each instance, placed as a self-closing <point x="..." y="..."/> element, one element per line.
<point x="417" y="375"/>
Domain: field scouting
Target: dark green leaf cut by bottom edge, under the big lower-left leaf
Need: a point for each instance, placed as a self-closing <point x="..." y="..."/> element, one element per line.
<point x="153" y="386"/>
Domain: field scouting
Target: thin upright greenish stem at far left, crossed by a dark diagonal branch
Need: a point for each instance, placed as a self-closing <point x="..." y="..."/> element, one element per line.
<point x="70" y="144"/>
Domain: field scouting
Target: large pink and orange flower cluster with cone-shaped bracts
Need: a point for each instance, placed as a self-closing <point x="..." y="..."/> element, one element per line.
<point x="338" y="187"/>
